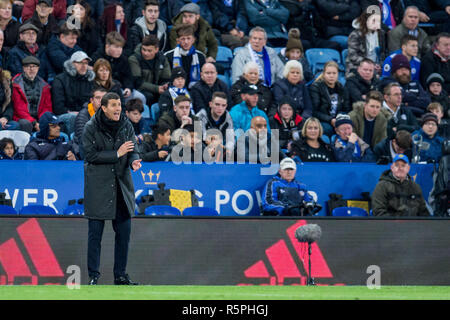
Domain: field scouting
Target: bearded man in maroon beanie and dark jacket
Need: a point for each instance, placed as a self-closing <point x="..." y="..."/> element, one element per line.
<point x="414" y="96"/>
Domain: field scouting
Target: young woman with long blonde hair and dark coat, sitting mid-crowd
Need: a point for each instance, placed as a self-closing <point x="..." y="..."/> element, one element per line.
<point x="329" y="97"/>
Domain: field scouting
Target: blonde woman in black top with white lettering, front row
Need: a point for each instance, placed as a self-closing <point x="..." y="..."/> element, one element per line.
<point x="311" y="147"/>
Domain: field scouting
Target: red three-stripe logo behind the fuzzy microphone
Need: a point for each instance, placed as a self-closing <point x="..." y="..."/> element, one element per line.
<point x="289" y="265"/>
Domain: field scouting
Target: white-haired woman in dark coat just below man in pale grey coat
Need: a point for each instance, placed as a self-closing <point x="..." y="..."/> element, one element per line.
<point x="250" y="75"/>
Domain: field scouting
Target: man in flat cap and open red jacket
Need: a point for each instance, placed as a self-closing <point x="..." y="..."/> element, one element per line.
<point x="31" y="95"/>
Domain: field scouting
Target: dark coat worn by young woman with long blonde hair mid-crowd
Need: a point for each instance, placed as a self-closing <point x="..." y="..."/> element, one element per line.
<point x="321" y="101"/>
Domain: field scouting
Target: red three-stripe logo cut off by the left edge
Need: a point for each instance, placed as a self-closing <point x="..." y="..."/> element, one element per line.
<point x="31" y="260"/>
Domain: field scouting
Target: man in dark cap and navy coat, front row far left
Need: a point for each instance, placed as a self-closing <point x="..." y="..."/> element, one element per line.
<point x="49" y="145"/>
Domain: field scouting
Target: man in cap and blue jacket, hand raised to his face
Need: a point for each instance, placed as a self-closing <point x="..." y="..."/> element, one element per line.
<point x="348" y="147"/>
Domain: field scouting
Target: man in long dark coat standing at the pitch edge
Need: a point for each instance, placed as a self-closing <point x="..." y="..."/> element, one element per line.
<point x="109" y="145"/>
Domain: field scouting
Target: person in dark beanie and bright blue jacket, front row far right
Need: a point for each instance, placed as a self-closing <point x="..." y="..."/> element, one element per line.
<point x="429" y="136"/>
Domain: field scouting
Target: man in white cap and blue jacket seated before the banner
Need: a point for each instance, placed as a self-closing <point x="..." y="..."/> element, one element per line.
<point x="285" y="196"/>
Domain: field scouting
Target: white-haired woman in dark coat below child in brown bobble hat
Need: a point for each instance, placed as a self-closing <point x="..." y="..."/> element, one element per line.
<point x="294" y="86"/>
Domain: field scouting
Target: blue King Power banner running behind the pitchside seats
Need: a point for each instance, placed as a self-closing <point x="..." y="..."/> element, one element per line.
<point x="231" y="189"/>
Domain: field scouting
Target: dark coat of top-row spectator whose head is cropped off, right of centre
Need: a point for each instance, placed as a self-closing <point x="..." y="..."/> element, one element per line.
<point x="346" y="10"/>
